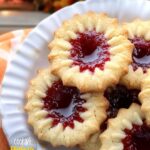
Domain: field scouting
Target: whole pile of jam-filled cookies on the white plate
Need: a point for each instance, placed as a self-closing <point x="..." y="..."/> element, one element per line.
<point x="96" y="92"/>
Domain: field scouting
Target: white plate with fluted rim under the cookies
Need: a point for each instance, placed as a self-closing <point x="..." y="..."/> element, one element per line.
<point x="33" y="55"/>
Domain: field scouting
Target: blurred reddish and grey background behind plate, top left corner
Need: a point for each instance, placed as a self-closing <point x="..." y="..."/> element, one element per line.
<point x="18" y="14"/>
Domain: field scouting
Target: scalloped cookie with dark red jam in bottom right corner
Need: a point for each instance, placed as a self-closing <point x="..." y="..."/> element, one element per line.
<point x="128" y="131"/>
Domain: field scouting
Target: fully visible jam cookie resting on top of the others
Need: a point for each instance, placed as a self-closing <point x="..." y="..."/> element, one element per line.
<point x="90" y="51"/>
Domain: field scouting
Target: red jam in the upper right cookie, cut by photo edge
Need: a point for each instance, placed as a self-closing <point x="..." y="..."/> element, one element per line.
<point x="141" y="54"/>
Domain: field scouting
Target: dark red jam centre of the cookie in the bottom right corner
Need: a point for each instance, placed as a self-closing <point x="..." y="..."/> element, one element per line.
<point x="138" y="138"/>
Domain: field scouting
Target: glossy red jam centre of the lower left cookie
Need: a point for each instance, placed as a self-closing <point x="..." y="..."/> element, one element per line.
<point x="63" y="104"/>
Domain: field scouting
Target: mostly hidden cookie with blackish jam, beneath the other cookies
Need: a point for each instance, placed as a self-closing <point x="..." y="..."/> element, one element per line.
<point x="118" y="97"/>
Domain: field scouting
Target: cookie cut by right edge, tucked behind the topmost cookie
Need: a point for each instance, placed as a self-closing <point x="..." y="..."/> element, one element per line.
<point x="139" y="35"/>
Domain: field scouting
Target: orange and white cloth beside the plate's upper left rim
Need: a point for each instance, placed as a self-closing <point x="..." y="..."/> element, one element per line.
<point x="8" y="46"/>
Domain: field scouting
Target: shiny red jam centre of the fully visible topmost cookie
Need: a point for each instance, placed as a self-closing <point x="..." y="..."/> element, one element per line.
<point x="90" y="51"/>
